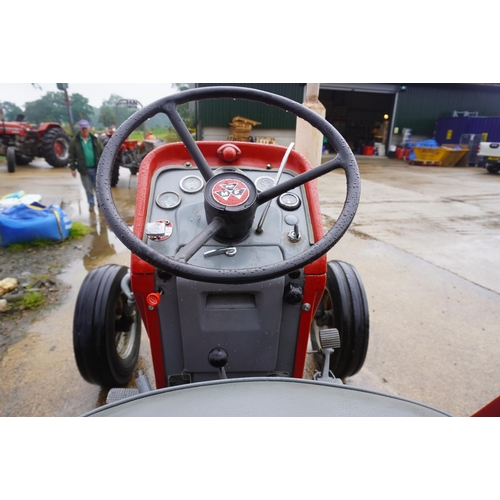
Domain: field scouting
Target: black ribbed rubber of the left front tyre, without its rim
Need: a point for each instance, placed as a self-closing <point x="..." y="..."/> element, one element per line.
<point x="93" y="334"/>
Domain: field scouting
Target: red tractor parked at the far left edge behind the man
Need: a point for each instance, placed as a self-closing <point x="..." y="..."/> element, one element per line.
<point x="20" y="142"/>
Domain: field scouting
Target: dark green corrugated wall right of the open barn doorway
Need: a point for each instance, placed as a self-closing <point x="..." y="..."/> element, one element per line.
<point x="422" y="104"/>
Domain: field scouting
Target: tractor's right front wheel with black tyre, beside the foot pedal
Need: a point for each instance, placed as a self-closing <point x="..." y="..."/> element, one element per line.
<point x="343" y="306"/>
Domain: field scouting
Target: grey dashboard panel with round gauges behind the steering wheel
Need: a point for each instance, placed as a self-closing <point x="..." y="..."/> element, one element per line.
<point x="176" y="207"/>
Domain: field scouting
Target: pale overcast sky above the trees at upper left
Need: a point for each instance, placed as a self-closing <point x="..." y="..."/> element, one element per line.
<point x="96" y="93"/>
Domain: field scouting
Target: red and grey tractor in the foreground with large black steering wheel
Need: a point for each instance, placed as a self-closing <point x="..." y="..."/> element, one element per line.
<point x="229" y="276"/>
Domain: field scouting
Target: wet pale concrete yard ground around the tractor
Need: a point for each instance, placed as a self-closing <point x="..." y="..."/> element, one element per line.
<point x="425" y="242"/>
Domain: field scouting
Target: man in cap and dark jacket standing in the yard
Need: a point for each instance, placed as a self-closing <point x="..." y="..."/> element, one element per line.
<point x="84" y="153"/>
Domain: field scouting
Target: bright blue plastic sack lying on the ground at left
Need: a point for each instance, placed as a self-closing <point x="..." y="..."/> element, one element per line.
<point x="24" y="223"/>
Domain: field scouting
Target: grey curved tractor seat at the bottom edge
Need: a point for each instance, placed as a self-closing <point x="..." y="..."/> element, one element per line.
<point x="264" y="397"/>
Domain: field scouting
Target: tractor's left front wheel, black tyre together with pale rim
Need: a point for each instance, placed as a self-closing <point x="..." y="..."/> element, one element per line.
<point x="106" y="330"/>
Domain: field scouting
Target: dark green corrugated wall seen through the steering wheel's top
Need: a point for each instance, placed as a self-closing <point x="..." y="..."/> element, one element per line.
<point x="219" y="112"/>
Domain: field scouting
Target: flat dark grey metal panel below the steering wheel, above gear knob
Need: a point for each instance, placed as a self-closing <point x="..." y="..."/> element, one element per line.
<point x="249" y="330"/>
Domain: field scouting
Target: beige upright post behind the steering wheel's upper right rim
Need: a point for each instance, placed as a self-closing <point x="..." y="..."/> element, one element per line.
<point x="308" y="140"/>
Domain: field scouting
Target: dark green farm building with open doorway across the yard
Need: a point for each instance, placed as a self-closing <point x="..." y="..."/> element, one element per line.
<point x="363" y="113"/>
